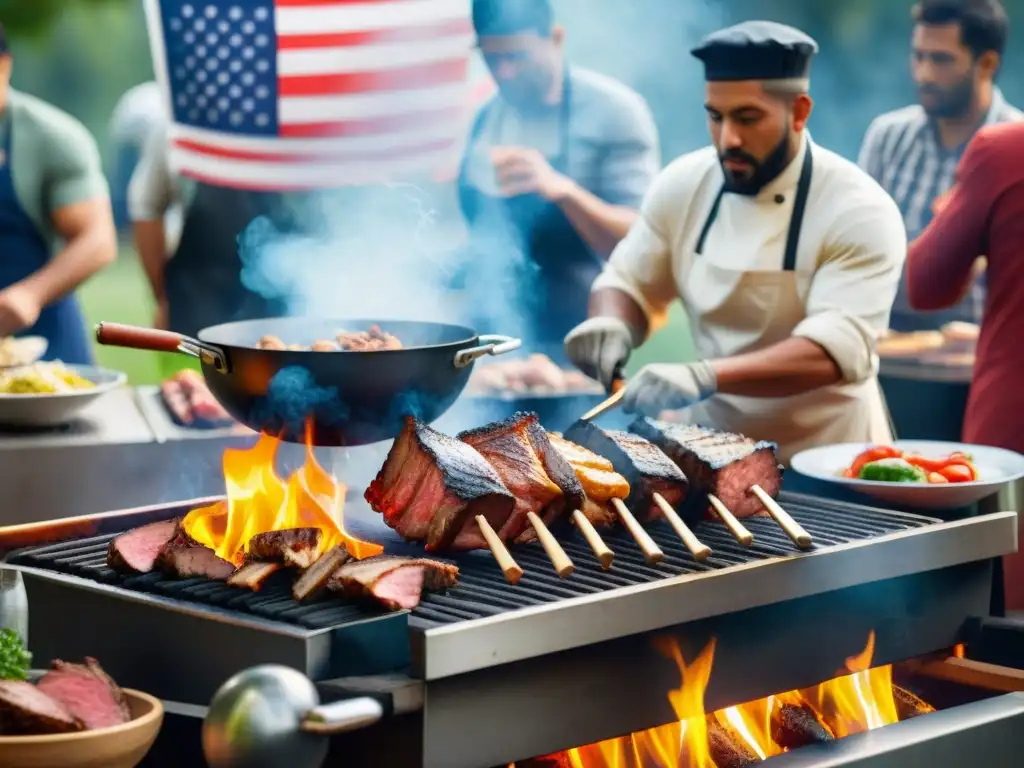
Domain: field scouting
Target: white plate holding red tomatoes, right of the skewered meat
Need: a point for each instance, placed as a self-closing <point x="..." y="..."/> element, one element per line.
<point x="997" y="467"/>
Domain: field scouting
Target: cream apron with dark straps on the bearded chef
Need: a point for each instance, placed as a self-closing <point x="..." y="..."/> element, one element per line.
<point x="735" y="311"/>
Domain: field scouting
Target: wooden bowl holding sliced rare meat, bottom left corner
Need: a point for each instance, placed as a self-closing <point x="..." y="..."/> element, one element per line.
<point x="118" y="747"/>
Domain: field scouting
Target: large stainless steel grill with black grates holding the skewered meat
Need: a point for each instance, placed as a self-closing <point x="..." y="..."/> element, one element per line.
<point x="545" y="654"/>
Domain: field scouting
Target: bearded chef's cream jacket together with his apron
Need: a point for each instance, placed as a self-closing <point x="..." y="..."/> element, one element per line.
<point x="739" y="297"/>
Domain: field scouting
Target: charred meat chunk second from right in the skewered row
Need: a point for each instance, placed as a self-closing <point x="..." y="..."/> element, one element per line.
<point x="646" y="467"/>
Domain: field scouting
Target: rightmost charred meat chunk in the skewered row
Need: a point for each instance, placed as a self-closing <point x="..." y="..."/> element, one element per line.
<point x="720" y="463"/>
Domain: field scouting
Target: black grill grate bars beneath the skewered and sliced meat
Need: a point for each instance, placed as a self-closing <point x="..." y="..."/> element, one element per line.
<point x="483" y="590"/>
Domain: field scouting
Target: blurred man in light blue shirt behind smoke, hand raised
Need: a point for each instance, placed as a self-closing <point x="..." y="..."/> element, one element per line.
<point x="557" y="165"/>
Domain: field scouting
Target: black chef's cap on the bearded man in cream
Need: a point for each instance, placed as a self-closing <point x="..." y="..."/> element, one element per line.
<point x="757" y="51"/>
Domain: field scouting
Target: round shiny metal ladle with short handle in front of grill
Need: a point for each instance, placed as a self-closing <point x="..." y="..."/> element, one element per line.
<point x="271" y="716"/>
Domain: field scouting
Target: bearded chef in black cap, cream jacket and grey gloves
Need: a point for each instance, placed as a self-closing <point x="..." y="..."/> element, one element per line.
<point x="786" y="257"/>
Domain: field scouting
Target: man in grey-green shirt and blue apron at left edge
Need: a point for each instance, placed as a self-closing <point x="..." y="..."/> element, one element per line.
<point x="57" y="229"/>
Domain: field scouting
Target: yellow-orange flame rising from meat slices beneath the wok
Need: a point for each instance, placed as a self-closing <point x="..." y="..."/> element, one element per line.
<point x="260" y="501"/>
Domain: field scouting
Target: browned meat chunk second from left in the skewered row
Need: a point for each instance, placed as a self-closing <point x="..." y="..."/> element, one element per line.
<point x="538" y="477"/>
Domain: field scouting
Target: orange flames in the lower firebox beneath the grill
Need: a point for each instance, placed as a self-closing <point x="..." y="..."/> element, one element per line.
<point x="858" y="702"/>
